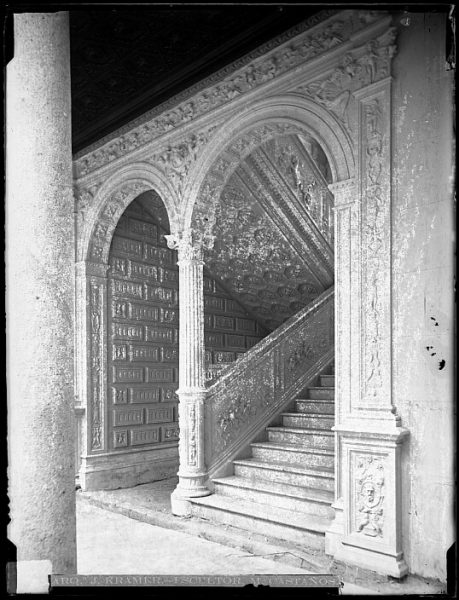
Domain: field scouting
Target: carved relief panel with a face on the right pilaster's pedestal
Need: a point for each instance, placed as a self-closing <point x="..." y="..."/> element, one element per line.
<point x="368" y="494"/>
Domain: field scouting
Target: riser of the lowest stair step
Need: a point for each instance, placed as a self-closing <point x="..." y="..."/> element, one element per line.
<point x="268" y="528"/>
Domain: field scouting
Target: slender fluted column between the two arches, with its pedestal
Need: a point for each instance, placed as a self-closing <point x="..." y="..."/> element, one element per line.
<point x="191" y="392"/>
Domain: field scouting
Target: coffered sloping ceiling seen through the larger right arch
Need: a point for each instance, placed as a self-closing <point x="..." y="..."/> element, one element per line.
<point x="275" y="260"/>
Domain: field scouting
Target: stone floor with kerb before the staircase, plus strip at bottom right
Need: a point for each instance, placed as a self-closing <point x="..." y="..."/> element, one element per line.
<point x="132" y="531"/>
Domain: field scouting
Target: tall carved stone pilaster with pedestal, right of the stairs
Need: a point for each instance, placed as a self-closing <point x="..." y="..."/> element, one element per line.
<point x="369" y="436"/>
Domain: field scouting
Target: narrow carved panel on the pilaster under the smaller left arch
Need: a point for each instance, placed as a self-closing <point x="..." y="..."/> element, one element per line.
<point x="97" y="293"/>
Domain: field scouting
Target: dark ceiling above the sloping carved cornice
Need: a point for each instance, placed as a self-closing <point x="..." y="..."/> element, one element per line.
<point x="127" y="60"/>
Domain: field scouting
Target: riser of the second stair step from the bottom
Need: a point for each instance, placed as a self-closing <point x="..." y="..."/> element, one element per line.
<point x="304" y="506"/>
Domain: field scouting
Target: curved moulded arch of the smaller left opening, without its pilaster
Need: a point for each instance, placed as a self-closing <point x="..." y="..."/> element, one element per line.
<point x="112" y="199"/>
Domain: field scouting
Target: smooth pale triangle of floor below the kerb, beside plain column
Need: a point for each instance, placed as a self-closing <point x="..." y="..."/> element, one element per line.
<point x="110" y="543"/>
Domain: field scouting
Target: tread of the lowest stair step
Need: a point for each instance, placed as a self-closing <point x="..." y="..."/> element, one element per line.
<point x="280" y="516"/>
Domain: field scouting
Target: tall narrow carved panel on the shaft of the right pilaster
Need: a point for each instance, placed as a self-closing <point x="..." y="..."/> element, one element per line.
<point x="374" y="109"/>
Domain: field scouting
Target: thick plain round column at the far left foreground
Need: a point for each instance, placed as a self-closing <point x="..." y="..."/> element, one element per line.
<point x="40" y="295"/>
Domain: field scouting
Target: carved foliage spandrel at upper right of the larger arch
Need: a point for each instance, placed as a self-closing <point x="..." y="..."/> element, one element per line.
<point x="359" y="67"/>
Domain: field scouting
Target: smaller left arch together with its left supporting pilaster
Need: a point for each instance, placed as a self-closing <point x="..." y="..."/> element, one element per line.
<point x="98" y="213"/>
